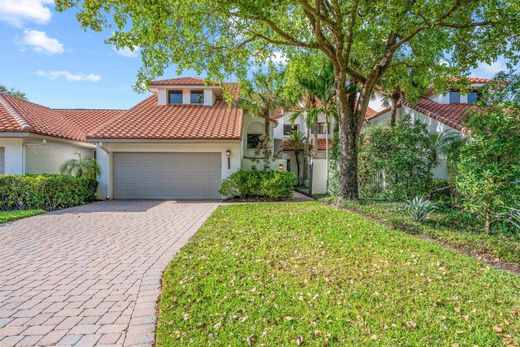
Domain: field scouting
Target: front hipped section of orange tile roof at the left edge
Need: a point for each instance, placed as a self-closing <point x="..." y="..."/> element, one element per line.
<point x="30" y="117"/>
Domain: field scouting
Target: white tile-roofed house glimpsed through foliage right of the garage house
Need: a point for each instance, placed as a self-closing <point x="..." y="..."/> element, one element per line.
<point x="439" y="111"/>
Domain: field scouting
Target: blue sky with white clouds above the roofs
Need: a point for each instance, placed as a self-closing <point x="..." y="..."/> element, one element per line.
<point x="49" y="57"/>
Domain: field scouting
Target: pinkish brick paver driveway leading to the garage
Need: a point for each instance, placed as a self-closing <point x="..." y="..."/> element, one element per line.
<point x="90" y="275"/>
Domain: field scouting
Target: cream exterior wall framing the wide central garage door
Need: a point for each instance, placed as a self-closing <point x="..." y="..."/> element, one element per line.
<point x="105" y="159"/>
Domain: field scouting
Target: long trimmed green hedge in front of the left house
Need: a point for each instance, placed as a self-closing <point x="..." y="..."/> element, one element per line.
<point x="48" y="192"/>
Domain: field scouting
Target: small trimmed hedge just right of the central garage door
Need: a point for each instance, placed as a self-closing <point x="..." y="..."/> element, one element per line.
<point x="274" y="185"/>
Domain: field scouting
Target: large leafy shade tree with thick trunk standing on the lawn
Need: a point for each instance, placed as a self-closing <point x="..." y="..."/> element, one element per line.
<point x="361" y="39"/>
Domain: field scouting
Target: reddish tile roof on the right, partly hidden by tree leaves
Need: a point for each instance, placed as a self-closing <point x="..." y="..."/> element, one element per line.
<point x="452" y="115"/>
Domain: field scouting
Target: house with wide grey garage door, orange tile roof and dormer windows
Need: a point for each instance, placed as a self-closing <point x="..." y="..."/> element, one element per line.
<point x="179" y="143"/>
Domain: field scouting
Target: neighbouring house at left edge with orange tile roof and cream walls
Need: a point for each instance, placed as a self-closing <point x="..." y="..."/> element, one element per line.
<point x="36" y="139"/>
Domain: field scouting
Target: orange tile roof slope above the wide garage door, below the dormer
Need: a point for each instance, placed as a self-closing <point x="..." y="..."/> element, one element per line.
<point x="148" y="120"/>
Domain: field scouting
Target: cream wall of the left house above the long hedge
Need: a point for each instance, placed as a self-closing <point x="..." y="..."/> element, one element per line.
<point x="48" y="157"/>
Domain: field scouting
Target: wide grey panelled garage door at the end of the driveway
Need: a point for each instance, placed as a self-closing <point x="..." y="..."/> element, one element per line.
<point x="167" y="175"/>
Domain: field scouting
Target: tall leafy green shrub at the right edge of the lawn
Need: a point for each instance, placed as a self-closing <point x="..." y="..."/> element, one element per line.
<point x="489" y="166"/>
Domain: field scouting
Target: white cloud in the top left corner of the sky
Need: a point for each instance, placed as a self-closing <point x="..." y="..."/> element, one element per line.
<point x="17" y="12"/>
